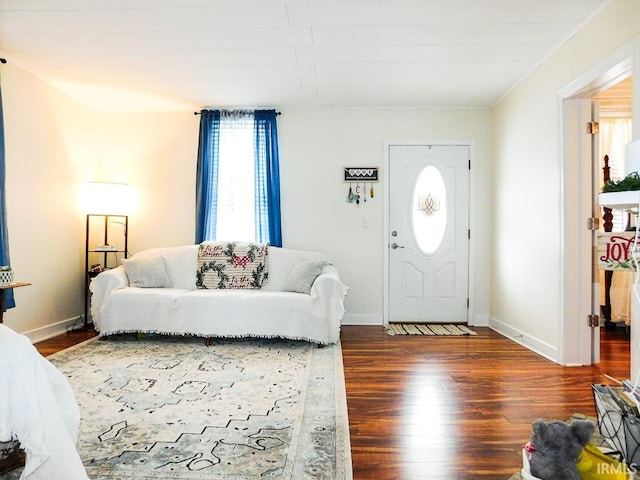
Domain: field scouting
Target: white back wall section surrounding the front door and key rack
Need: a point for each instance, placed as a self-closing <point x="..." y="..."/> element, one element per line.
<point x="315" y="145"/>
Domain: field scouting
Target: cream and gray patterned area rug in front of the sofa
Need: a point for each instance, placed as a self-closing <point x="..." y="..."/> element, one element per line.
<point x="171" y="407"/>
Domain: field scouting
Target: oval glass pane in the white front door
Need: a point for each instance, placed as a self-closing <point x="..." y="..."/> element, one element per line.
<point x="429" y="207"/>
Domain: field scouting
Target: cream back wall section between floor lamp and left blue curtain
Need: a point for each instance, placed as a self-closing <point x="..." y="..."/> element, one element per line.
<point x="156" y="154"/>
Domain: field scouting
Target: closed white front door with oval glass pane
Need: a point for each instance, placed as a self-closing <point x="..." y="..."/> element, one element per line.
<point x="428" y="233"/>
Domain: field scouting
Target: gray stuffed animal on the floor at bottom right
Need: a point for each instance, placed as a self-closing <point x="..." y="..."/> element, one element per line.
<point x="557" y="447"/>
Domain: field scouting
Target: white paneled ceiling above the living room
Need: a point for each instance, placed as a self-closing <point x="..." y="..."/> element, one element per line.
<point x="184" y="54"/>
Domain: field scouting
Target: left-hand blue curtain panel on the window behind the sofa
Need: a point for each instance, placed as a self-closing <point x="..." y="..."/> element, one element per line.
<point x="207" y="175"/>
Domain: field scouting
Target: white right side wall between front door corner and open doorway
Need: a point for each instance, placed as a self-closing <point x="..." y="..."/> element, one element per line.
<point x="526" y="300"/>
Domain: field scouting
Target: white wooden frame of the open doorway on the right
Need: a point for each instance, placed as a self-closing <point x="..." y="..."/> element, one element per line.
<point x="576" y="289"/>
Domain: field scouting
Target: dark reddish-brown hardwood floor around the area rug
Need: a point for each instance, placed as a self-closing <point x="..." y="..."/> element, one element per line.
<point x="450" y="407"/>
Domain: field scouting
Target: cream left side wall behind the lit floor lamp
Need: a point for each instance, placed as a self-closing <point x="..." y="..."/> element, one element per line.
<point x="48" y="139"/>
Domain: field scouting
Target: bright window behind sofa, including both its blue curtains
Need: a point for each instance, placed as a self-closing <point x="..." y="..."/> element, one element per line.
<point x="237" y="186"/>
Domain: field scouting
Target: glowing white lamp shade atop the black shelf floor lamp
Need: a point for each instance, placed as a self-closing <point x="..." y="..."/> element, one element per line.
<point x="101" y="198"/>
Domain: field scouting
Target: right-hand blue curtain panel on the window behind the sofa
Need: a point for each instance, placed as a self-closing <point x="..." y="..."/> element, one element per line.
<point x="267" y="178"/>
